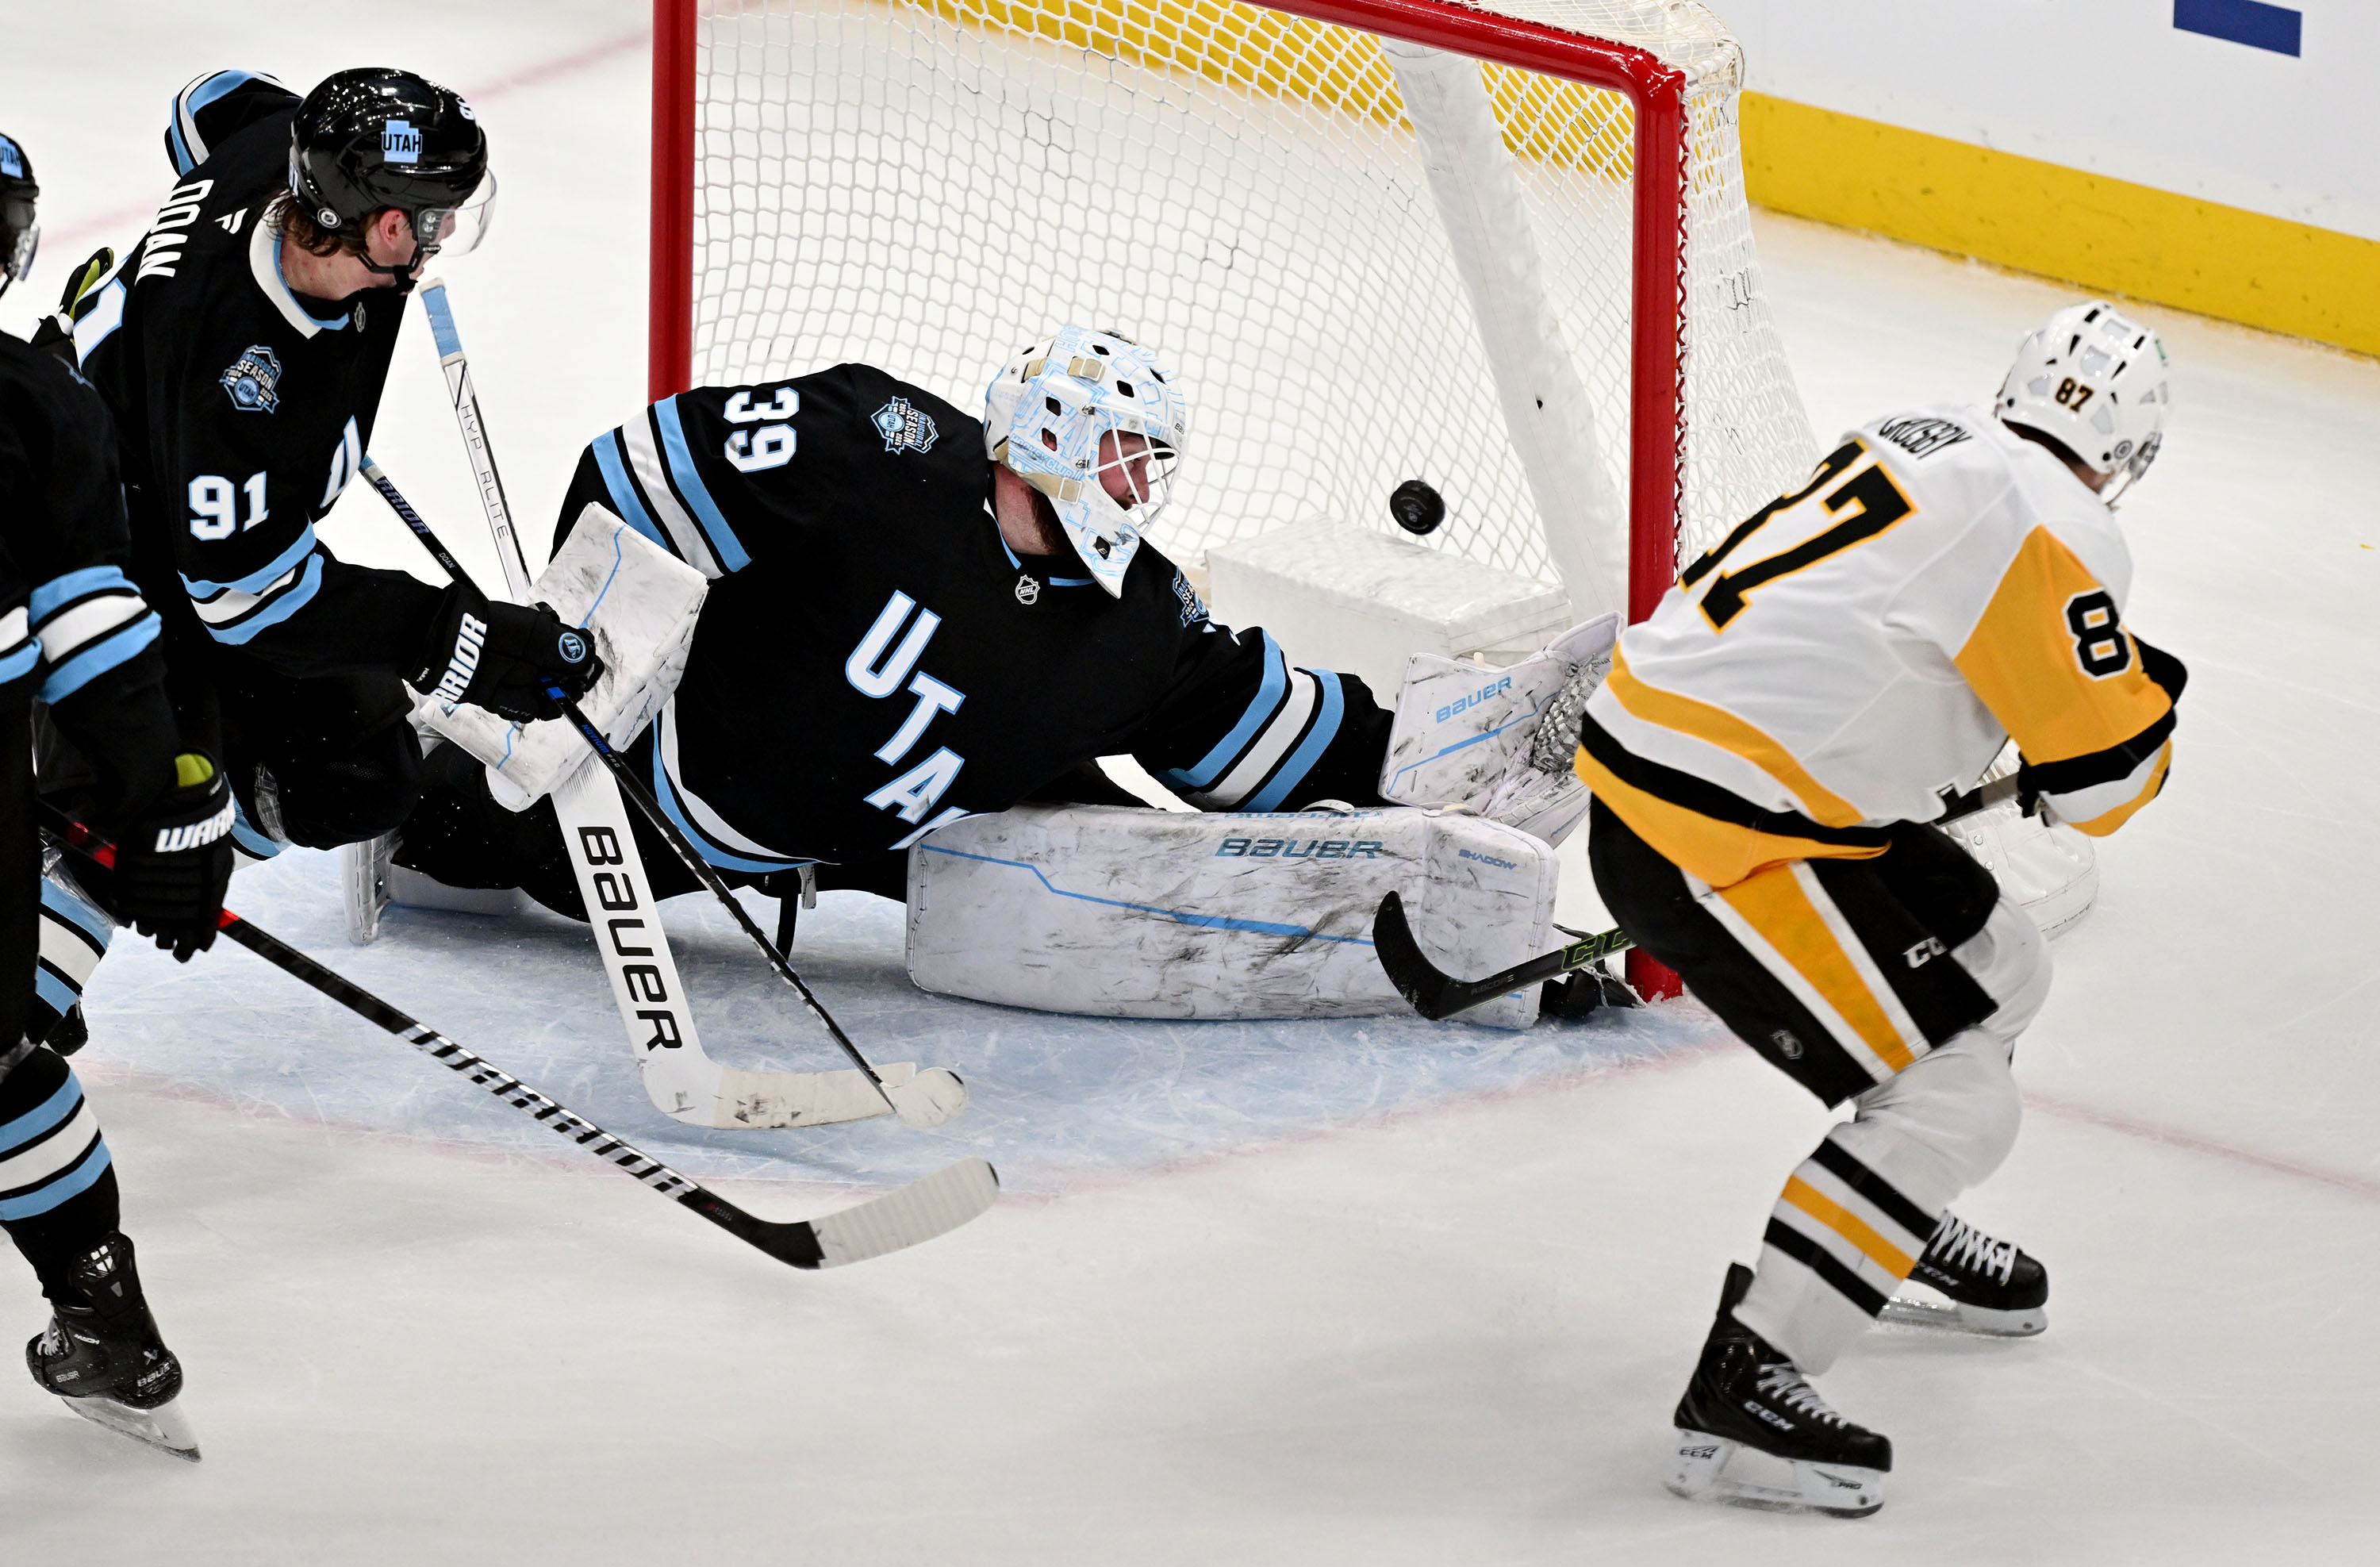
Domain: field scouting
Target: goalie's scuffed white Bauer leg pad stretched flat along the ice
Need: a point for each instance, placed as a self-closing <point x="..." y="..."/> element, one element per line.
<point x="1141" y="913"/>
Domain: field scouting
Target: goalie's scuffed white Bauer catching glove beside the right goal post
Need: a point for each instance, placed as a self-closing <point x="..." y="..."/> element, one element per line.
<point x="1472" y="737"/>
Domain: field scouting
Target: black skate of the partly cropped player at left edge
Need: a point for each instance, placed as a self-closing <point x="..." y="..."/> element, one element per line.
<point x="108" y="1363"/>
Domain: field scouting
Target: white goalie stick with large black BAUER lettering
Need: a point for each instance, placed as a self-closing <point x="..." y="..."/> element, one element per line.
<point x="634" y="947"/>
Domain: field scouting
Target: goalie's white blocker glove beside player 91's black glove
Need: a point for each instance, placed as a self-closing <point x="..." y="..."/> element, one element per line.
<point x="639" y="601"/>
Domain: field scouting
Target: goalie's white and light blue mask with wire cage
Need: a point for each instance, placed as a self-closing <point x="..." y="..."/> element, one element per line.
<point x="1094" y="423"/>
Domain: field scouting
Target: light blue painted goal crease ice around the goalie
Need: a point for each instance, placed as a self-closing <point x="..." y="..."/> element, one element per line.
<point x="1051" y="1099"/>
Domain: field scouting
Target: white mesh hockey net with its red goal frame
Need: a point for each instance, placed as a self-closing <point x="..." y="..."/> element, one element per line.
<point x="929" y="187"/>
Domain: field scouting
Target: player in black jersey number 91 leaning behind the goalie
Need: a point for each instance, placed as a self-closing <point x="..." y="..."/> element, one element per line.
<point x="242" y="351"/>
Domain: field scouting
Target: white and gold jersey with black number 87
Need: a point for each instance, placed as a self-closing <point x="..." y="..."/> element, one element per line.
<point x="1874" y="639"/>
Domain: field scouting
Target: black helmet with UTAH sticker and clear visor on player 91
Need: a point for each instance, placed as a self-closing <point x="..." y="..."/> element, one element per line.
<point x="372" y="139"/>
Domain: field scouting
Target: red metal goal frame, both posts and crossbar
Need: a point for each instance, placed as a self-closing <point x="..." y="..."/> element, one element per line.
<point x="1658" y="275"/>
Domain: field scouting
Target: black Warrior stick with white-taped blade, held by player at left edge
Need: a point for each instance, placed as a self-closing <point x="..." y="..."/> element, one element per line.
<point x="901" y="1218"/>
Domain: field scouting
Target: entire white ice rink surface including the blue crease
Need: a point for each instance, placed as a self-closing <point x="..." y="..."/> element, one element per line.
<point x="1258" y="1294"/>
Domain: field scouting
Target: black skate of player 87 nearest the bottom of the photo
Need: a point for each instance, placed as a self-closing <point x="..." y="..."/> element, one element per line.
<point x="1753" y="1432"/>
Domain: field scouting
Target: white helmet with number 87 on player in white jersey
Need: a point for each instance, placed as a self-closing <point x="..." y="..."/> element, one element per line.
<point x="2096" y="382"/>
